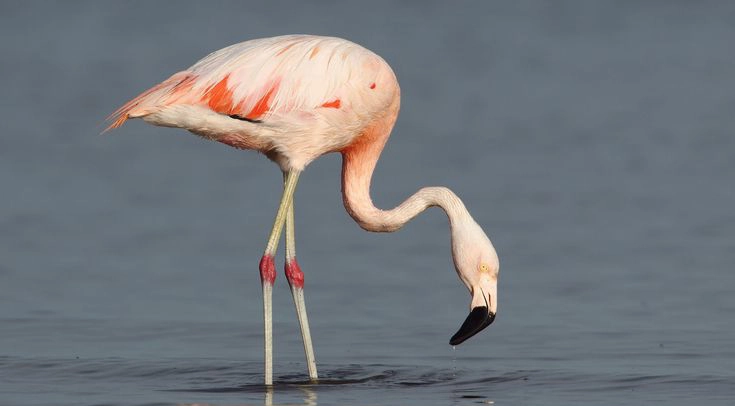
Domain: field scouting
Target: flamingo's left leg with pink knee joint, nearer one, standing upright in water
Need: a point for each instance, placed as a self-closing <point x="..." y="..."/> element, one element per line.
<point x="268" y="270"/>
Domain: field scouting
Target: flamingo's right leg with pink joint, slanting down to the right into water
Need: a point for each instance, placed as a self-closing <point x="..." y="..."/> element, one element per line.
<point x="296" y="281"/>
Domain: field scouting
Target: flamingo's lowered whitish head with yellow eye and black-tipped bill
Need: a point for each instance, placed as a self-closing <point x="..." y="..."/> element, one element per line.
<point x="477" y="265"/>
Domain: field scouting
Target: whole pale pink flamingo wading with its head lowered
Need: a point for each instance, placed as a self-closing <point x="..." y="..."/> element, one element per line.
<point x="295" y="98"/>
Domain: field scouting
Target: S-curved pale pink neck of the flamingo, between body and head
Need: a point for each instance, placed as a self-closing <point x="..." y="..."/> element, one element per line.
<point x="358" y="163"/>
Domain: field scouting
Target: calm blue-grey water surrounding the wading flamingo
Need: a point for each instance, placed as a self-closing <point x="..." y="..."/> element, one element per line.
<point x="592" y="140"/>
